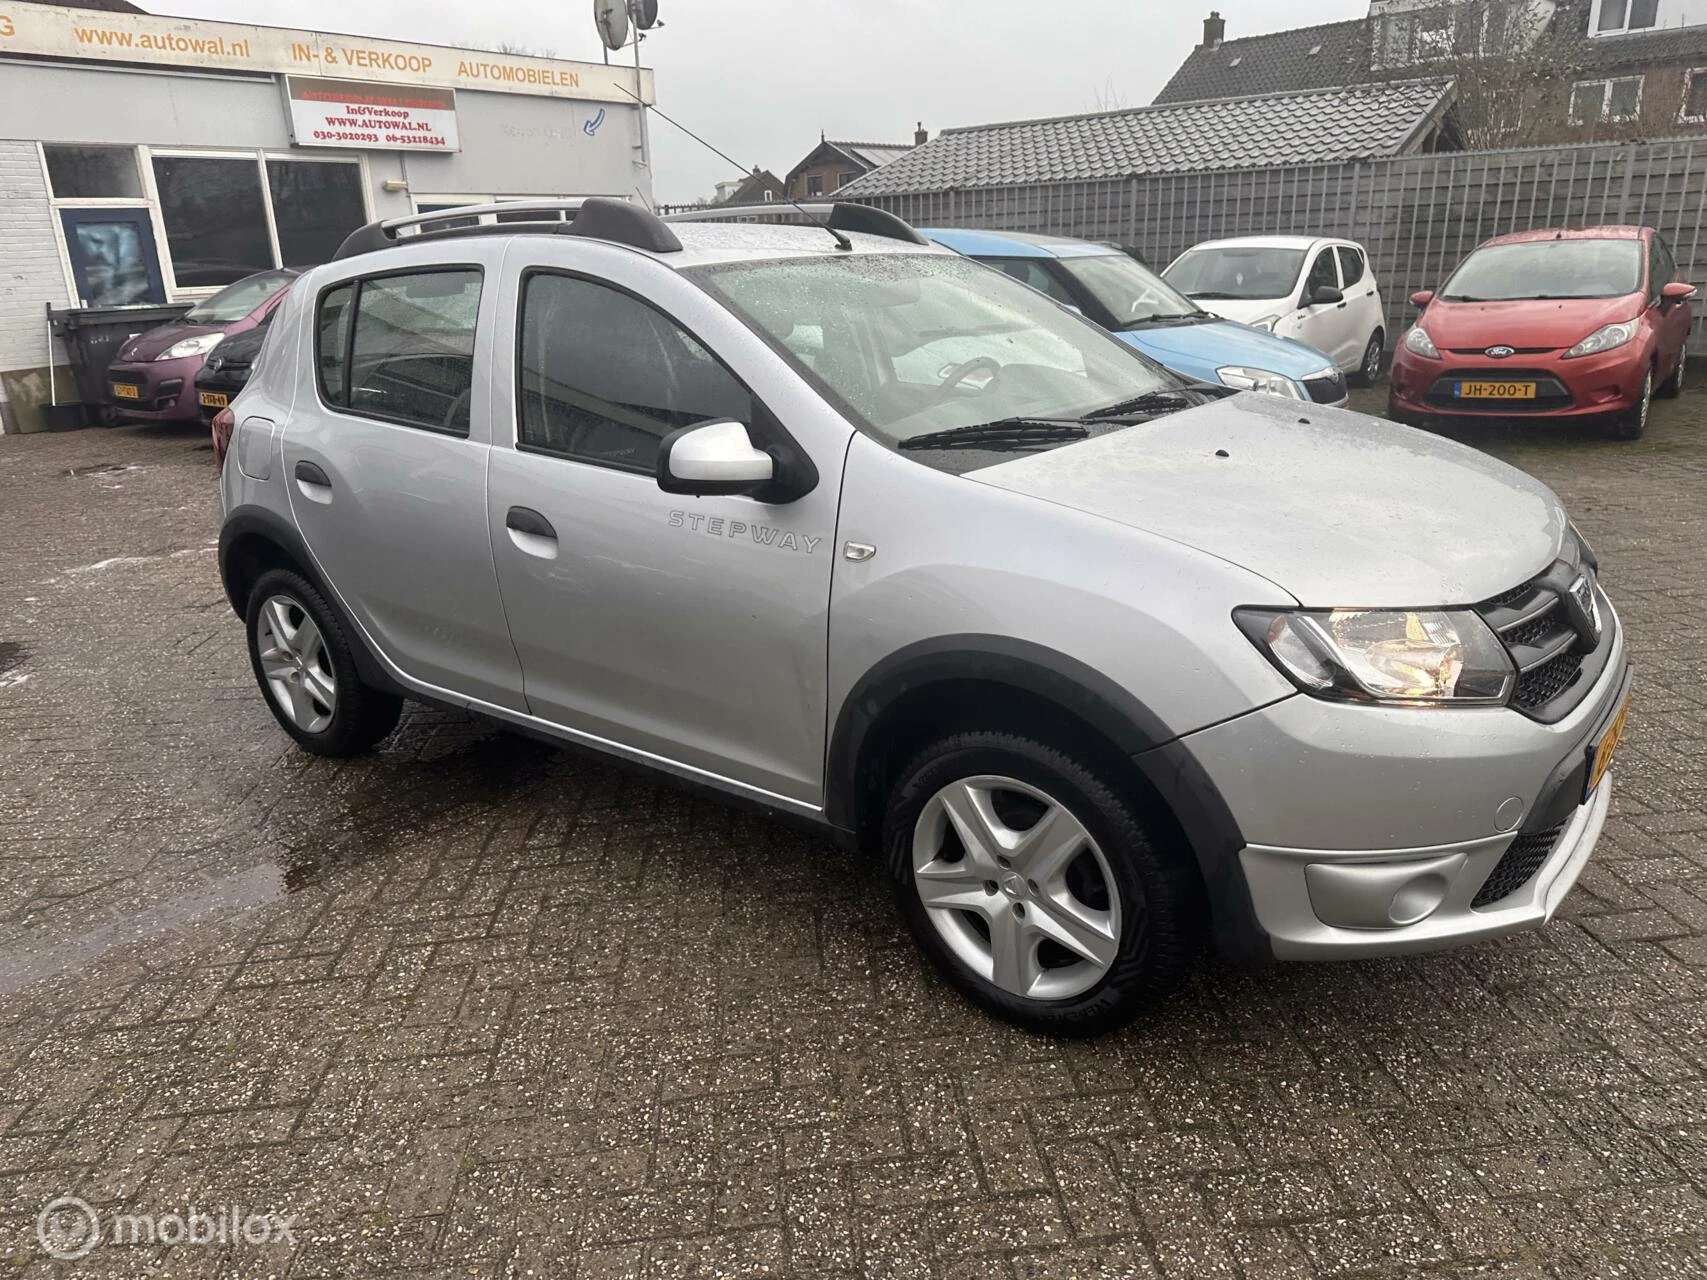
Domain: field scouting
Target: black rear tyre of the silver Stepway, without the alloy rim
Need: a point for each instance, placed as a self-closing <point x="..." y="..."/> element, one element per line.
<point x="361" y="716"/>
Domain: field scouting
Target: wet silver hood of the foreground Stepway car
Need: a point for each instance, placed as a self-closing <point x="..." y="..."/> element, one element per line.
<point x="1336" y="508"/>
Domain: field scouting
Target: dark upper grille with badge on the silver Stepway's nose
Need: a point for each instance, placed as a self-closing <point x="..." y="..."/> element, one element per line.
<point x="1549" y="637"/>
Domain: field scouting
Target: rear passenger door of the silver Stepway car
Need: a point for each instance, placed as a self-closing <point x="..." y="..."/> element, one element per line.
<point x="387" y="463"/>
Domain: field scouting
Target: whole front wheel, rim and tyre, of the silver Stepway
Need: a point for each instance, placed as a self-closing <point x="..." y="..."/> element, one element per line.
<point x="1034" y="887"/>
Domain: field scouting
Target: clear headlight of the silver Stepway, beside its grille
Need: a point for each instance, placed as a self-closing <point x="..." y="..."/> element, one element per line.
<point x="1389" y="656"/>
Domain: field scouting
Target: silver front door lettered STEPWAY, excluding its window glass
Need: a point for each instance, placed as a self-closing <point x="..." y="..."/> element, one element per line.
<point x="684" y="631"/>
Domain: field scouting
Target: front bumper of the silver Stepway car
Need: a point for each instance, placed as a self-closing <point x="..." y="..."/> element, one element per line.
<point x="1377" y="830"/>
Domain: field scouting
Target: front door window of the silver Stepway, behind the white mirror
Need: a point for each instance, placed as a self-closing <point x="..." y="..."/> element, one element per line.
<point x="605" y="378"/>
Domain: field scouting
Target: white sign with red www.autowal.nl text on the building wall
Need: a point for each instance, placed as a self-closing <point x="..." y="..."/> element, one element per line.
<point x="366" y="115"/>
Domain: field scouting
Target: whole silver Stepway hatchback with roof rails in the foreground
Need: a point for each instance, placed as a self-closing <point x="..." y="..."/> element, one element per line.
<point x="1102" y="665"/>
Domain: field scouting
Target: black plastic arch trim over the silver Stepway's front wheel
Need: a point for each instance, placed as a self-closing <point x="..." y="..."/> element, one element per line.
<point x="1162" y="755"/>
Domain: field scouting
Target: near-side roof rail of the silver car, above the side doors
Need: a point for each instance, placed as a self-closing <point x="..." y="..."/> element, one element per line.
<point x="595" y="218"/>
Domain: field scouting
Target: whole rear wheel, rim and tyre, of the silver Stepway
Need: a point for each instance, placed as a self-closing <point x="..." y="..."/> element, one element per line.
<point x="305" y="666"/>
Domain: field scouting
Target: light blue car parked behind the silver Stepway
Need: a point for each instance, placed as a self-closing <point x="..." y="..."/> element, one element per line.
<point x="1139" y="308"/>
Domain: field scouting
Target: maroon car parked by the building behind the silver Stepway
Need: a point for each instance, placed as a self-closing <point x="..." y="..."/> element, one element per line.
<point x="154" y="376"/>
